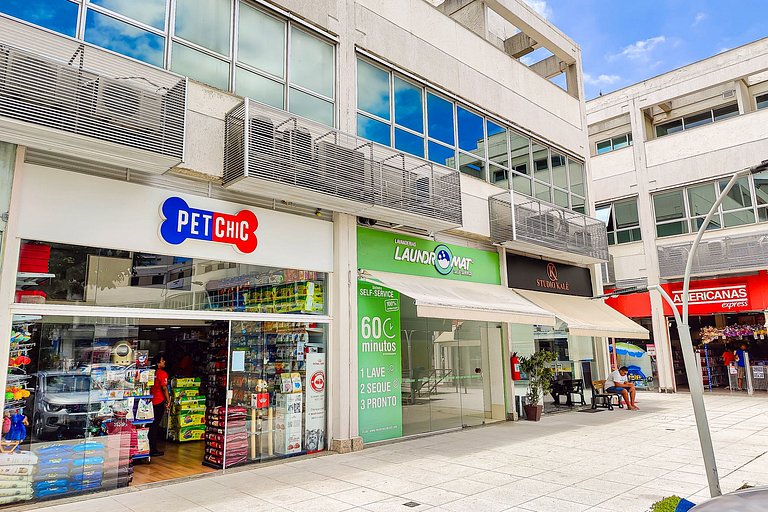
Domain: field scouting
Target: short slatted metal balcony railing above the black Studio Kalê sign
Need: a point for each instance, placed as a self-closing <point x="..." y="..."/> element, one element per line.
<point x="529" y="224"/>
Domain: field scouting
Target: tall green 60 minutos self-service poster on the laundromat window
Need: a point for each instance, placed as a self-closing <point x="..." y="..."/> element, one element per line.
<point x="380" y="414"/>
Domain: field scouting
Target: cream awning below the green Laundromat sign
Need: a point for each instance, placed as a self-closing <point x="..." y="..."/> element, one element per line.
<point x="458" y="300"/>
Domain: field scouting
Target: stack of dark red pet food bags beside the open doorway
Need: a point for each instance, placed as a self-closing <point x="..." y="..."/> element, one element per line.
<point x="228" y="446"/>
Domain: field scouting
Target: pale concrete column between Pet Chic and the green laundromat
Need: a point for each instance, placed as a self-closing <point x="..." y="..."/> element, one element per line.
<point x="342" y="367"/>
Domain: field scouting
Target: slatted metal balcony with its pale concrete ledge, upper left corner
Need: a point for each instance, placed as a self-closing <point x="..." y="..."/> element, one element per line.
<point x="61" y="95"/>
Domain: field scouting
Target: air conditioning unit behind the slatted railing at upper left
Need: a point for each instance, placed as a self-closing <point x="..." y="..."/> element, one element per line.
<point x="123" y="104"/>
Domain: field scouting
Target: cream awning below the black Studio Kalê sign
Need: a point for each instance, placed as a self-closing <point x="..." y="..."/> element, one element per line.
<point x="587" y="317"/>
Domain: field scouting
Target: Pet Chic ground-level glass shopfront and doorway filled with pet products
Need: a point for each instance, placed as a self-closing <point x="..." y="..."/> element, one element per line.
<point x="78" y="401"/>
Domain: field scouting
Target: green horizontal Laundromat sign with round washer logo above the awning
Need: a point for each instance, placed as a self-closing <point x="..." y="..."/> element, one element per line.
<point x="391" y="252"/>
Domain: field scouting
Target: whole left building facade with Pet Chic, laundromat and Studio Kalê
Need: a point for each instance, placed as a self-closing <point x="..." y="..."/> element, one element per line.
<point x="336" y="222"/>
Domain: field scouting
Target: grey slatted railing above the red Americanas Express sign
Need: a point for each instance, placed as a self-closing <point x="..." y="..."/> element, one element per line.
<point x="715" y="256"/>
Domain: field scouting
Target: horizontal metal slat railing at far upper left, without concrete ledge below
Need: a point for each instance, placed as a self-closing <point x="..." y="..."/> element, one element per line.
<point x="78" y="89"/>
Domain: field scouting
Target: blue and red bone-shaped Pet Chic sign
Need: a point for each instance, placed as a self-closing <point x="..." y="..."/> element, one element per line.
<point x="182" y="222"/>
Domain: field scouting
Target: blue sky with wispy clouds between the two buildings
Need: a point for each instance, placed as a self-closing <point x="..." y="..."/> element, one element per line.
<point x="625" y="42"/>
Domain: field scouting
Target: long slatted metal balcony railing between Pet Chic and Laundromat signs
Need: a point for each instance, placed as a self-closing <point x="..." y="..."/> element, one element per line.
<point x="273" y="153"/>
